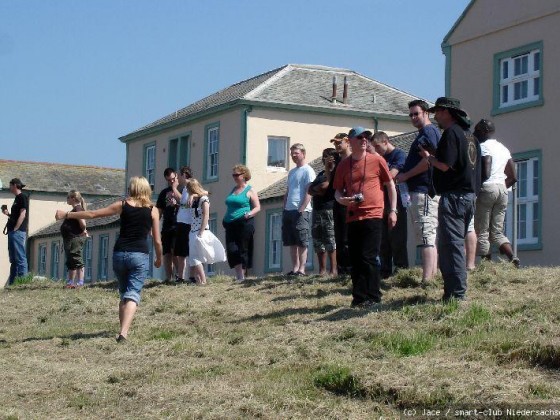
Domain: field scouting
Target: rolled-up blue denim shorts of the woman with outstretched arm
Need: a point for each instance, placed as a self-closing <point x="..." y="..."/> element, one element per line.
<point x="131" y="269"/>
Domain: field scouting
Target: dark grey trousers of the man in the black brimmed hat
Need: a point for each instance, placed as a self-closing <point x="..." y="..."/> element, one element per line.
<point x="454" y="214"/>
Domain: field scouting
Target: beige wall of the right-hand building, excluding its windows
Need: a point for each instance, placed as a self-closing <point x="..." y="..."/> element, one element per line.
<point x="488" y="29"/>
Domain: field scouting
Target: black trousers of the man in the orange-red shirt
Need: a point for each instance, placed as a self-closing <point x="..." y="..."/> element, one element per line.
<point x="364" y="240"/>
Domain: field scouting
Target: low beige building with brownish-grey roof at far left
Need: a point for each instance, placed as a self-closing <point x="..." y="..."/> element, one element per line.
<point x="47" y="186"/>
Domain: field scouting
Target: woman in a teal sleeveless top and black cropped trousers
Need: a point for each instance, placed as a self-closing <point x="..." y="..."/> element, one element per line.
<point x="242" y="205"/>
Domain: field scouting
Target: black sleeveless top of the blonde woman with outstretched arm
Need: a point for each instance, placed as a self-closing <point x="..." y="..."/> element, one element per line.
<point x="136" y="223"/>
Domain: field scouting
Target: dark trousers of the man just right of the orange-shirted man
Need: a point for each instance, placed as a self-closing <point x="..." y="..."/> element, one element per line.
<point x="393" y="244"/>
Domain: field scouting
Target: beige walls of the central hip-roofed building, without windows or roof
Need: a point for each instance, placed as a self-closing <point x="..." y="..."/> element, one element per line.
<point x="312" y="129"/>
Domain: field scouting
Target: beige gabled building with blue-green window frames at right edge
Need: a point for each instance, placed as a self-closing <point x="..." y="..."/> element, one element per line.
<point x="500" y="62"/>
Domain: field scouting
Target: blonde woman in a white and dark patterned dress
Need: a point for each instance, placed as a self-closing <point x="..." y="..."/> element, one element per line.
<point x="204" y="247"/>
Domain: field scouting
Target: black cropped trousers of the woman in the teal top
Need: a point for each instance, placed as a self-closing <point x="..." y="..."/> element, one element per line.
<point x="239" y="235"/>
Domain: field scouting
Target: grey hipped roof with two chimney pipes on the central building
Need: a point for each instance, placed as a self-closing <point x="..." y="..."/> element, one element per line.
<point x="295" y="85"/>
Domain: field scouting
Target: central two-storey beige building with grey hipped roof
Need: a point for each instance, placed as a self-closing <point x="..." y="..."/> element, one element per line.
<point x="255" y="122"/>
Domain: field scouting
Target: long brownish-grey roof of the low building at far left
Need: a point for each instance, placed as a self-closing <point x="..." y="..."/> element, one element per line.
<point x="60" y="178"/>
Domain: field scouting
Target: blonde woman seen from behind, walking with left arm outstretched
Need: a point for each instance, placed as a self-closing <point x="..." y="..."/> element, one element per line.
<point x="131" y="258"/>
